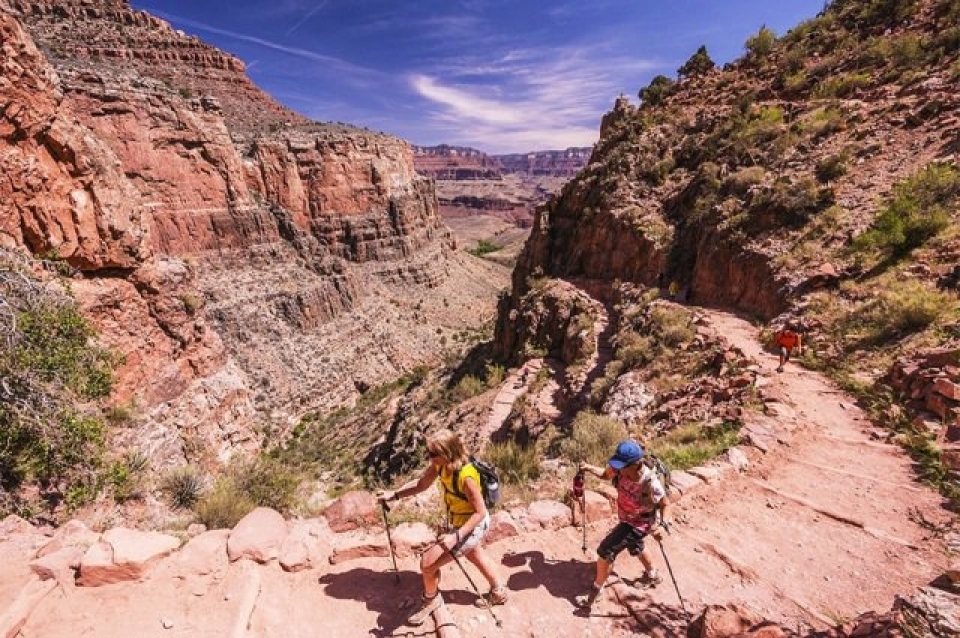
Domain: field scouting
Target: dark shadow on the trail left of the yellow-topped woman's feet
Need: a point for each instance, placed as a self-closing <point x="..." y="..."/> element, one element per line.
<point x="381" y="593"/>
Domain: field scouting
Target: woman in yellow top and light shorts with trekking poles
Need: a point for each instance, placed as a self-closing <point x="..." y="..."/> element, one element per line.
<point x="467" y="520"/>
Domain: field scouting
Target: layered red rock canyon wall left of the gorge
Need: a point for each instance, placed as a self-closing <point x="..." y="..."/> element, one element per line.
<point x="248" y="265"/>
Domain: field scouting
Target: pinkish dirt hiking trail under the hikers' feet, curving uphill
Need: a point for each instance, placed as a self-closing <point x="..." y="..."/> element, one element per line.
<point x="815" y="530"/>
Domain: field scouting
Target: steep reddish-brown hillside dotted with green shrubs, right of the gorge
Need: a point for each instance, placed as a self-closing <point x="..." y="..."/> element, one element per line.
<point x="798" y="182"/>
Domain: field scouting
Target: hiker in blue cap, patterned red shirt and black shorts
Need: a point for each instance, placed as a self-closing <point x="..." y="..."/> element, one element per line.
<point x="640" y="497"/>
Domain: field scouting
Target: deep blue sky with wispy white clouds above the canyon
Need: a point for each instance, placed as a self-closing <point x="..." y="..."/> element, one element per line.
<point x="501" y="76"/>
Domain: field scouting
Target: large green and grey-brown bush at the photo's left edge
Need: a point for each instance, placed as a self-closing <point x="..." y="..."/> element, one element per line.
<point x="52" y="374"/>
